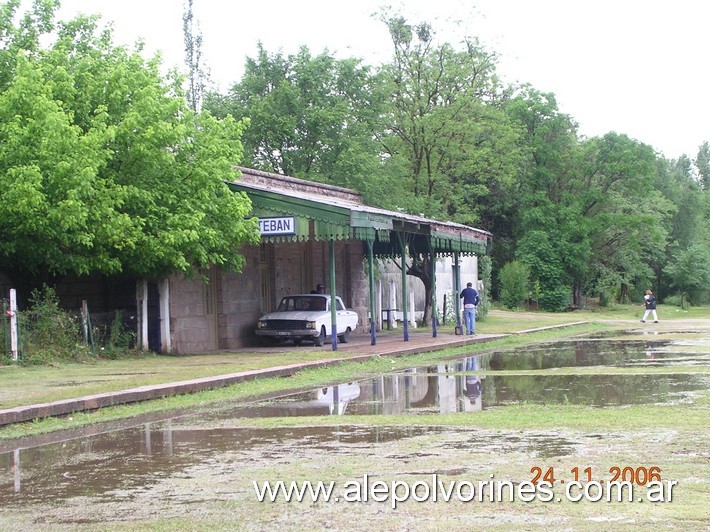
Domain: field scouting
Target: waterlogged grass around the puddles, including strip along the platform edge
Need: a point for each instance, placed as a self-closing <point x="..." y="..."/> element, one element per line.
<point x="217" y="458"/>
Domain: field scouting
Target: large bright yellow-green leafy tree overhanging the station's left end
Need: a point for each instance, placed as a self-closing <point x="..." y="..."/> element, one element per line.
<point x="103" y="167"/>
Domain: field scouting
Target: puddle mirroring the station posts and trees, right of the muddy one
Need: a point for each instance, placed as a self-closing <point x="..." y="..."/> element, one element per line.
<point x="458" y="386"/>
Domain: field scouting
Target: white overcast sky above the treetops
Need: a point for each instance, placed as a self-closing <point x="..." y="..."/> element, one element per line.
<point x="638" y="67"/>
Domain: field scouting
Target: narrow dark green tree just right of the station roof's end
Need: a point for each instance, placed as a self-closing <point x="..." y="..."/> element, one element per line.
<point x="551" y="234"/>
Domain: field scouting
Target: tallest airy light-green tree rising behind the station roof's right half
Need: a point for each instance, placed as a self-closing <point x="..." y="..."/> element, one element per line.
<point x="448" y="142"/>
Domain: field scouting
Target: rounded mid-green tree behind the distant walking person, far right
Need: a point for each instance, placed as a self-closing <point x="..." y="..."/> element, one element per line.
<point x="628" y="217"/>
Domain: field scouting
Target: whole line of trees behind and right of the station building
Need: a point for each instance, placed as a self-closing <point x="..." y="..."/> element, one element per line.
<point x="435" y="132"/>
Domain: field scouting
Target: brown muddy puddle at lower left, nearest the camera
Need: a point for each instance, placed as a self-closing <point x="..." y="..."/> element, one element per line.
<point x="115" y="465"/>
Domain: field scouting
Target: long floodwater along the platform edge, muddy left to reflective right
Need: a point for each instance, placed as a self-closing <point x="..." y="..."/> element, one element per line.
<point x="120" y="464"/>
